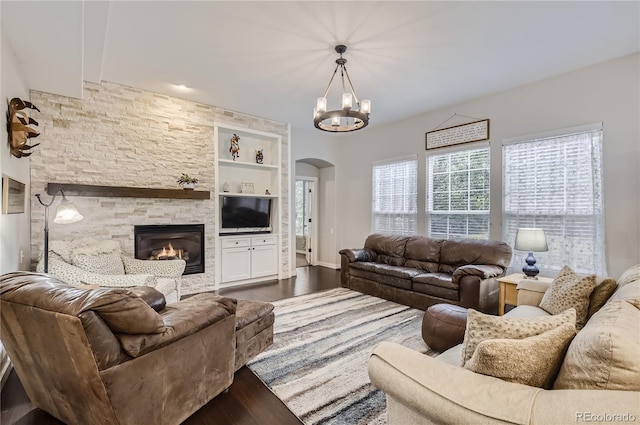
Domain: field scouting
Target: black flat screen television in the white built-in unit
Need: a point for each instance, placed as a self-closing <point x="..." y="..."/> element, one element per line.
<point x="242" y="214"/>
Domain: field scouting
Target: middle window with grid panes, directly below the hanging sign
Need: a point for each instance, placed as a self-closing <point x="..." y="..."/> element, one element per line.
<point x="458" y="195"/>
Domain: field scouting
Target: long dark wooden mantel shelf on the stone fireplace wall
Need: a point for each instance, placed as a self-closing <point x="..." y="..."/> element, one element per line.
<point x="125" y="192"/>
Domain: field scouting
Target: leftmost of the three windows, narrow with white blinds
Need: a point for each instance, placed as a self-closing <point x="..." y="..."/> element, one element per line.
<point x="395" y="197"/>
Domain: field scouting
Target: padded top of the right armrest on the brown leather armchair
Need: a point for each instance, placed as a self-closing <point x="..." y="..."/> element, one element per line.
<point x="181" y="319"/>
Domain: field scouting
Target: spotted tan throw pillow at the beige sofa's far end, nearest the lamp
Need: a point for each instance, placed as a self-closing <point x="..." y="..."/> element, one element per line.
<point x="569" y="290"/>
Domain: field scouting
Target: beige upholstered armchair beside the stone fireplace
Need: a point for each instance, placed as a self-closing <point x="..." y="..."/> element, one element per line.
<point x="90" y="261"/>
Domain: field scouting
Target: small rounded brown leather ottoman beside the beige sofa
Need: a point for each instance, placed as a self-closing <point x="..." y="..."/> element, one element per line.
<point x="443" y="326"/>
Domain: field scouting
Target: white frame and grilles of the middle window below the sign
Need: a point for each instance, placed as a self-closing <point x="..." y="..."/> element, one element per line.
<point x="430" y="213"/>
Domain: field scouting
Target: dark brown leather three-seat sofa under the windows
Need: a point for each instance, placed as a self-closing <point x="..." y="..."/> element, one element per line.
<point x="419" y="271"/>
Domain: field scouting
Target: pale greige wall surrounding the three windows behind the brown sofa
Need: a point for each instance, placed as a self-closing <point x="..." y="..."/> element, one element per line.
<point x="607" y="92"/>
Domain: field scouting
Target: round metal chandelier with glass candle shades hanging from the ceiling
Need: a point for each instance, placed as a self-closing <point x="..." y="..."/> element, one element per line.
<point x="347" y="118"/>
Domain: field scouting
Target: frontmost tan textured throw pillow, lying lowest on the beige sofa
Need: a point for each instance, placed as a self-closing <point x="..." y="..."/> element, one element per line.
<point x="532" y="361"/>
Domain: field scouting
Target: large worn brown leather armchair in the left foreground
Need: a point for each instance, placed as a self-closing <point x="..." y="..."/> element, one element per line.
<point x="106" y="357"/>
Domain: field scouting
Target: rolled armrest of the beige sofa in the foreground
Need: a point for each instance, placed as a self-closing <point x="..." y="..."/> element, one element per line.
<point x="442" y="393"/>
